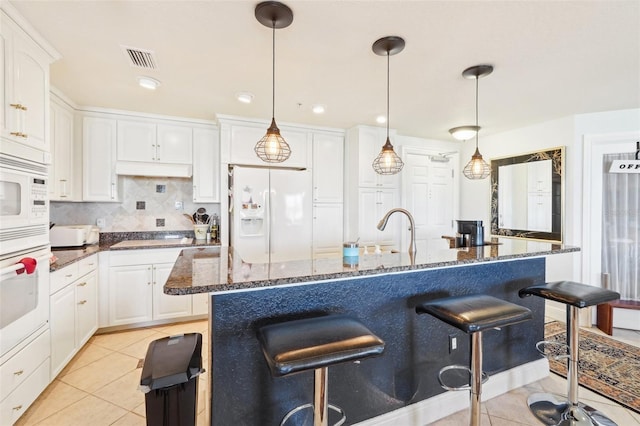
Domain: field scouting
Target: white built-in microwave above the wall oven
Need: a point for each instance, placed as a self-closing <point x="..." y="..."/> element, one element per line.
<point x="24" y="204"/>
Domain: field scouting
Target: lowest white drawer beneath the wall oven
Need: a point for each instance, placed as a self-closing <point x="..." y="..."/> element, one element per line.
<point x="19" y="400"/>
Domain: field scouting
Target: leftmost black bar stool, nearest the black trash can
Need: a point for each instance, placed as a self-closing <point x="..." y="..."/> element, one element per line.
<point x="315" y="344"/>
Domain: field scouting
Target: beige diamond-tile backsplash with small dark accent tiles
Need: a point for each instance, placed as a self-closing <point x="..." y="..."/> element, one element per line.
<point x="159" y="207"/>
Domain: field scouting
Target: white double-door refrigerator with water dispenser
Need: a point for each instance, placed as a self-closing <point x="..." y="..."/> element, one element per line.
<point x="271" y="215"/>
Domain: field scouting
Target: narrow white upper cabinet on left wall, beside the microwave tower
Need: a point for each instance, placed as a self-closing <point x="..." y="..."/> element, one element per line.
<point x="64" y="179"/>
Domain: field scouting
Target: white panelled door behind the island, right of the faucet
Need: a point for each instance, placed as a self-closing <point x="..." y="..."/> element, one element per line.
<point x="428" y="194"/>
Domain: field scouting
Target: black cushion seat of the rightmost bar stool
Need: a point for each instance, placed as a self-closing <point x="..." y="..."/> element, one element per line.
<point x="571" y="293"/>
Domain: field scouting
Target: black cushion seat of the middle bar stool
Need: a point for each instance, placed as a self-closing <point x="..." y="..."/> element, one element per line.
<point x="474" y="313"/>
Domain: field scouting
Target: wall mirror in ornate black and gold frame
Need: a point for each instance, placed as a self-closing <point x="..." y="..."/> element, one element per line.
<point x="526" y="195"/>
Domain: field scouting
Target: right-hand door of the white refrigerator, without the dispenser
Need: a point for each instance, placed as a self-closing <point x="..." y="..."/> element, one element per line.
<point x="290" y="215"/>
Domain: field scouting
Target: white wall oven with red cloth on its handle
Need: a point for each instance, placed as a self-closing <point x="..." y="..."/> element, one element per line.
<point x="24" y="296"/>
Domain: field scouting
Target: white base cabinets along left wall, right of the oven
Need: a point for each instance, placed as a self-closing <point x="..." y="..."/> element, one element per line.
<point x="73" y="310"/>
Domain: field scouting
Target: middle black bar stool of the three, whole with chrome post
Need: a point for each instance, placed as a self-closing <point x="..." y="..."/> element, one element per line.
<point x="473" y="314"/>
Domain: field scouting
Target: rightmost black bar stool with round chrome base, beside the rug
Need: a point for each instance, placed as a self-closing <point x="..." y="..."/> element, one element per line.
<point x="548" y="408"/>
